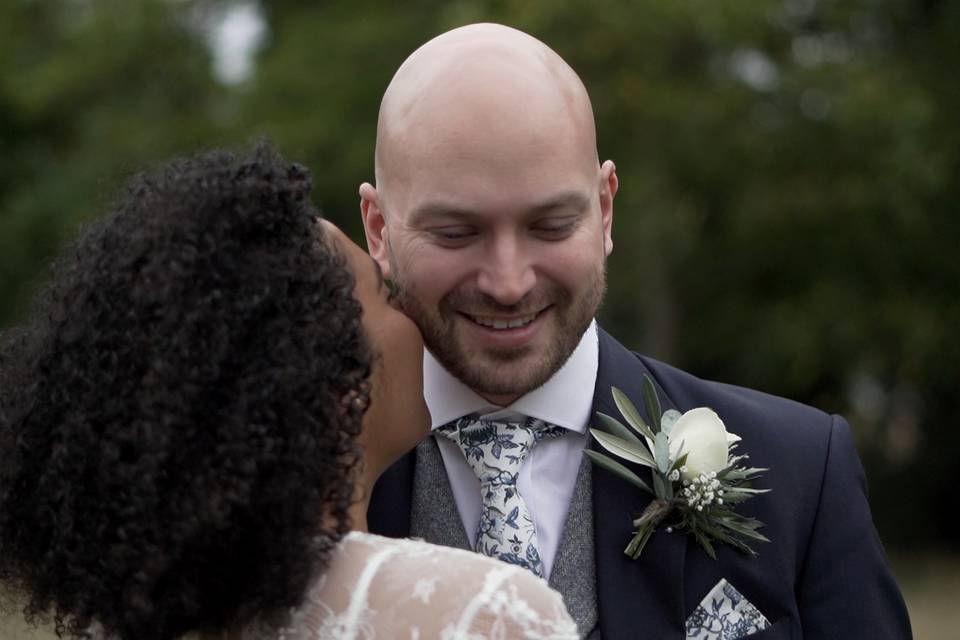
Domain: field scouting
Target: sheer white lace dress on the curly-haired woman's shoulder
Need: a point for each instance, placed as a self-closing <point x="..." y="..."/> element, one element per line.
<point x="378" y="588"/>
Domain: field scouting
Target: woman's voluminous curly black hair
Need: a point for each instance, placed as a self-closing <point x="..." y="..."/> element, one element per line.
<point x="178" y="415"/>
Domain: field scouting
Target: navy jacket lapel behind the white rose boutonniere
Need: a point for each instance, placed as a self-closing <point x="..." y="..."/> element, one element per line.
<point x="633" y="595"/>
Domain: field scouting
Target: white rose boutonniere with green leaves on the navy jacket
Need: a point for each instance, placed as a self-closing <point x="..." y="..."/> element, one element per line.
<point x="697" y="479"/>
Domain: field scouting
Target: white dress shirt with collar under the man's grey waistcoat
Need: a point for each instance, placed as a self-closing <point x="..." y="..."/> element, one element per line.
<point x="549" y="473"/>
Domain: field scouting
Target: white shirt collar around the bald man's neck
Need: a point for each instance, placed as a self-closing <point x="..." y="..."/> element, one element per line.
<point x="564" y="400"/>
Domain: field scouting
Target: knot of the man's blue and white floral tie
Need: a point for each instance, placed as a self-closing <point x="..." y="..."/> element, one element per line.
<point x="495" y="449"/>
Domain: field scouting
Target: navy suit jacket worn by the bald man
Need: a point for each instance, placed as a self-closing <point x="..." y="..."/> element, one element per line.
<point x="824" y="573"/>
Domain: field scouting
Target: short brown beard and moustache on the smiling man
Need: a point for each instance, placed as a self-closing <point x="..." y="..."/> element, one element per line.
<point x="504" y="372"/>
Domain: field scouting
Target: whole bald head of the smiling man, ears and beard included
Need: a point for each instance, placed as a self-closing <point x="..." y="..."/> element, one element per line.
<point x="491" y="212"/>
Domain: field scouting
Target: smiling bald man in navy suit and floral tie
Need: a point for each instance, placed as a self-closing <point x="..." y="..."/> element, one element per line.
<point x="492" y="215"/>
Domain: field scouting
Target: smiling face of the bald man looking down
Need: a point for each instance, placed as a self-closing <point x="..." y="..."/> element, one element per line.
<point x="498" y="253"/>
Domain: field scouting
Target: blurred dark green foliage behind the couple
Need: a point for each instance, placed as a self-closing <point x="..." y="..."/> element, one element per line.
<point x="790" y="175"/>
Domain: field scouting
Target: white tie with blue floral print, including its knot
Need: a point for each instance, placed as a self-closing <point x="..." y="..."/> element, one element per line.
<point x="495" y="451"/>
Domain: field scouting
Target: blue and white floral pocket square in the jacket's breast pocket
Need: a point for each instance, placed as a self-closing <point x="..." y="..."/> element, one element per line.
<point x="724" y="614"/>
